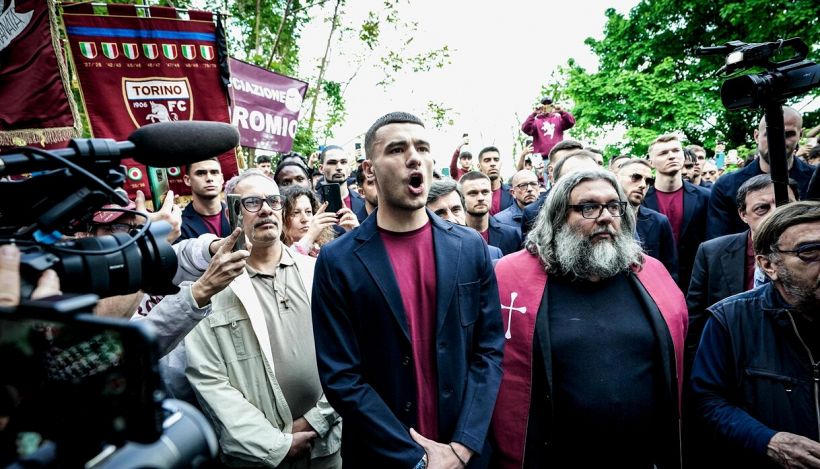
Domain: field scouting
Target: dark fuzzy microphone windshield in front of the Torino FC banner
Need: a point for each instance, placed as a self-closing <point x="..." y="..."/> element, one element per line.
<point x="178" y="143"/>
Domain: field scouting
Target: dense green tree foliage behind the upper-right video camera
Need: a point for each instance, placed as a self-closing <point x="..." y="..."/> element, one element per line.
<point x="649" y="80"/>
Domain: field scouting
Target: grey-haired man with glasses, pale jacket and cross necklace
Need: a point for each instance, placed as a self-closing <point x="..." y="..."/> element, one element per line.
<point x="252" y="362"/>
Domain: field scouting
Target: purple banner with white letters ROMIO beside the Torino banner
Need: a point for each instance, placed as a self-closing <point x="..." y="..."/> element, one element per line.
<point x="265" y="106"/>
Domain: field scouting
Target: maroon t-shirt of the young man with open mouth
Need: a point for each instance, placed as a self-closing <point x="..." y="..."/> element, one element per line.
<point x="414" y="265"/>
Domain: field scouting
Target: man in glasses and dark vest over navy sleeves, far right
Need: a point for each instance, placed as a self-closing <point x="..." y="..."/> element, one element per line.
<point x="755" y="376"/>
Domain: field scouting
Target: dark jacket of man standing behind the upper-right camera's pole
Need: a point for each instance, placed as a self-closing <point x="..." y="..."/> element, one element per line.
<point x="723" y="216"/>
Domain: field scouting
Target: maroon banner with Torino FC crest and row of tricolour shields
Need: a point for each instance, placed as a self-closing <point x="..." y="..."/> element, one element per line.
<point x="134" y="71"/>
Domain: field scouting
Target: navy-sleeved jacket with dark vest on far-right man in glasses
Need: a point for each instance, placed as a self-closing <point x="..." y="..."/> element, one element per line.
<point x="753" y="376"/>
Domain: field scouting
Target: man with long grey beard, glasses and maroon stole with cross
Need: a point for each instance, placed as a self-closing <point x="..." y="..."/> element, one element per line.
<point x="593" y="358"/>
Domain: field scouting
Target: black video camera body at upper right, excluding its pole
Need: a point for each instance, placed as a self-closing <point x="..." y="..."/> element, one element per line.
<point x="781" y="80"/>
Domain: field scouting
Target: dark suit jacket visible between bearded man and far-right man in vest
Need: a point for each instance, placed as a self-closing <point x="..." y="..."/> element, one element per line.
<point x="719" y="272"/>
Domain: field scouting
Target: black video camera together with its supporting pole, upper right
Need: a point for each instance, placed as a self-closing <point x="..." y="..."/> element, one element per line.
<point x="769" y="90"/>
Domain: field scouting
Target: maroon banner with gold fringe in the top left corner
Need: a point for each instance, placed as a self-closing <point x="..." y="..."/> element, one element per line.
<point x="34" y="100"/>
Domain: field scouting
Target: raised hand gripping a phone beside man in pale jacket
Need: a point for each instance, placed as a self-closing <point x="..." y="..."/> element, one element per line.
<point x="224" y="267"/>
